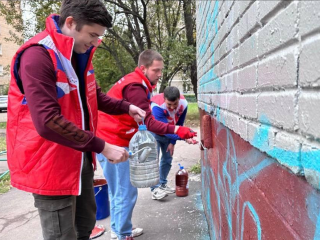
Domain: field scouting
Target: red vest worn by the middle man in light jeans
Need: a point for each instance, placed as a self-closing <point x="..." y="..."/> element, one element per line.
<point x="119" y="129"/>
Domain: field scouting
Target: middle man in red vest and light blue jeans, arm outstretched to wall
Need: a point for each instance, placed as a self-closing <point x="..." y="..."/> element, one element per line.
<point x="135" y="87"/>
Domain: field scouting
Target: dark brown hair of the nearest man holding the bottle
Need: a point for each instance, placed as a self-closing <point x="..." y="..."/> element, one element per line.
<point x="85" y="12"/>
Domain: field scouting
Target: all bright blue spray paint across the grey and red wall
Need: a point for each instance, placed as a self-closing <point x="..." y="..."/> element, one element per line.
<point x="229" y="183"/>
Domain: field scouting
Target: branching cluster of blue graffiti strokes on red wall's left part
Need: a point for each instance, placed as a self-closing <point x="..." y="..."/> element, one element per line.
<point x="227" y="191"/>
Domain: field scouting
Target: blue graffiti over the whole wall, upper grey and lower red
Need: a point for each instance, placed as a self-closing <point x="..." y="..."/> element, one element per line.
<point x="225" y="189"/>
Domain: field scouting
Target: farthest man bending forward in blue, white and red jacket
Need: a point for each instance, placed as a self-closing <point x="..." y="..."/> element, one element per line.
<point x="168" y="107"/>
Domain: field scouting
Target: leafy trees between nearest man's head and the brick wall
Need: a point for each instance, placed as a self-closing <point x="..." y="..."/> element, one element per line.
<point x="158" y="24"/>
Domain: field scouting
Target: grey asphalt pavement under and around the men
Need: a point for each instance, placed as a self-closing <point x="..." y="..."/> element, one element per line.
<point x="172" y="218"/>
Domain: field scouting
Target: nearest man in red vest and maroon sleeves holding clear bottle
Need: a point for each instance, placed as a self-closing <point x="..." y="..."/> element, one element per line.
<point x="52" y="119"/>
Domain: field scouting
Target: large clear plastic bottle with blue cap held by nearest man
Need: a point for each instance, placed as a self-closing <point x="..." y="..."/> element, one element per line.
<point x="143" y="159"/>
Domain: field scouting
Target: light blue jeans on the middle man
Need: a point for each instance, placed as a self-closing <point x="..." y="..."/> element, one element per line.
<point x="122" y="195"/>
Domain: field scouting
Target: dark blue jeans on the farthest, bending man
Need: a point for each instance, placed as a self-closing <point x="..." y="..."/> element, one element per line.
<point x="166" y="159"/>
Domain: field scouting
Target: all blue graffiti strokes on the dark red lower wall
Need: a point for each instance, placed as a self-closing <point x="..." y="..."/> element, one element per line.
<point x="227" y="192"/>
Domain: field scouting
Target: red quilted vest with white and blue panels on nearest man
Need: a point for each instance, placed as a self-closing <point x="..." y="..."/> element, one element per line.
<point x="32" y="159"/>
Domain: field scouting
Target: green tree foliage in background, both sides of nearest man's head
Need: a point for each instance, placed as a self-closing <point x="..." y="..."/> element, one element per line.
<point x="167" y="26"/>
